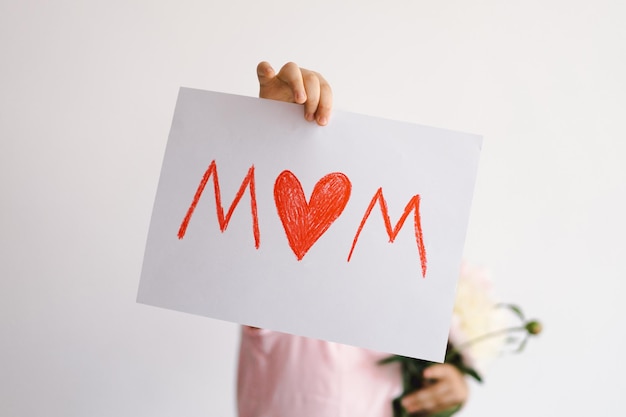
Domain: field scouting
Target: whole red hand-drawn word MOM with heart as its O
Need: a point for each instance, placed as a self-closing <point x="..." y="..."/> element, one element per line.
<point x="306" y="221"/>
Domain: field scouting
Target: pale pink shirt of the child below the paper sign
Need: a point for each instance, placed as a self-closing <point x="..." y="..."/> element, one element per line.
<point x="281" y="375"/>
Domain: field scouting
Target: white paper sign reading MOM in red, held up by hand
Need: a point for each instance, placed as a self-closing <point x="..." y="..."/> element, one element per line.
<point x="351" y="233"/>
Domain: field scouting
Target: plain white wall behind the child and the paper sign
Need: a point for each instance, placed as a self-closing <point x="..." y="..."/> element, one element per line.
<point x="87" y="92"/>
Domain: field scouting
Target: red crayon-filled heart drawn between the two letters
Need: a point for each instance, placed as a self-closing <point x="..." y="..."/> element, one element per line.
<point x="304" y="222"/>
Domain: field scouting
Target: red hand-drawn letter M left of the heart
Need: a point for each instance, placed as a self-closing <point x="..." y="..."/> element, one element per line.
<point x="248" y="181"/>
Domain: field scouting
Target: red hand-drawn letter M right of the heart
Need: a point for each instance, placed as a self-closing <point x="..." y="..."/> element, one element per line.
<point x="413" y="204"/>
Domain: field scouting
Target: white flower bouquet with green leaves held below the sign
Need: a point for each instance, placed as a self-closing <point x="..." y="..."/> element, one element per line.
<point x="480" y="331"/>
